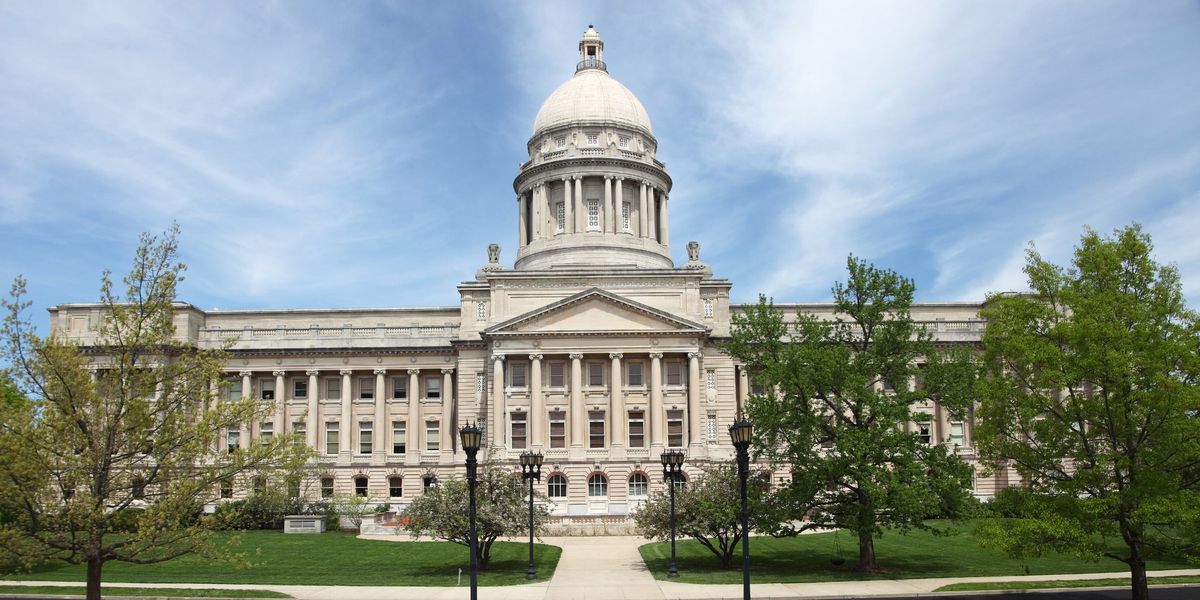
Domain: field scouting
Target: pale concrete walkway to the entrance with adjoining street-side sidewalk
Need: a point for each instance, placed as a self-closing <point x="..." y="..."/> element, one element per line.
<point x="609" y="568"/>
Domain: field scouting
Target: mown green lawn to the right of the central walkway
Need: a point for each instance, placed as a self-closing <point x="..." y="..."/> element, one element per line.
<point x="807" y="559"/>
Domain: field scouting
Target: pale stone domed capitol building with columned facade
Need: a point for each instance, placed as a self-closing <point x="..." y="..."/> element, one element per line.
<point x="593" y="347"/>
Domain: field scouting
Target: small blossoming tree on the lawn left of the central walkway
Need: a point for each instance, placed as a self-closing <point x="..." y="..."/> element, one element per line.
<point x="502" y="511"/>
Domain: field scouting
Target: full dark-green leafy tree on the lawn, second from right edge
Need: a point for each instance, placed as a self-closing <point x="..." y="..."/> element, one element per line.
<point x="836" y="410"/>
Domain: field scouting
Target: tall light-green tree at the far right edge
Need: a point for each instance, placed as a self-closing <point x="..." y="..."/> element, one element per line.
<point x="1091" y="394"/>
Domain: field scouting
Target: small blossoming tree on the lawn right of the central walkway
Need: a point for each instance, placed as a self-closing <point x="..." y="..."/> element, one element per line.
<point x="709" y="509"/>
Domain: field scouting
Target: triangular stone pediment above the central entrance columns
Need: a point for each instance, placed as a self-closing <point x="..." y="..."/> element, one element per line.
<point x="596" y="313"/>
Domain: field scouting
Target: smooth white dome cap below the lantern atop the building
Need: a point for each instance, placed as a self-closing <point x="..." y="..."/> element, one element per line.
<point x="592" y="97"/>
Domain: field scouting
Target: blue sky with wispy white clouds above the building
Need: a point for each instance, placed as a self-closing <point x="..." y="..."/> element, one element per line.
<point x="358" y="154"/>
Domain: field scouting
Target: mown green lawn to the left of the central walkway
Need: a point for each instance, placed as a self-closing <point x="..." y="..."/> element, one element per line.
<point x="326" y="560"/>
